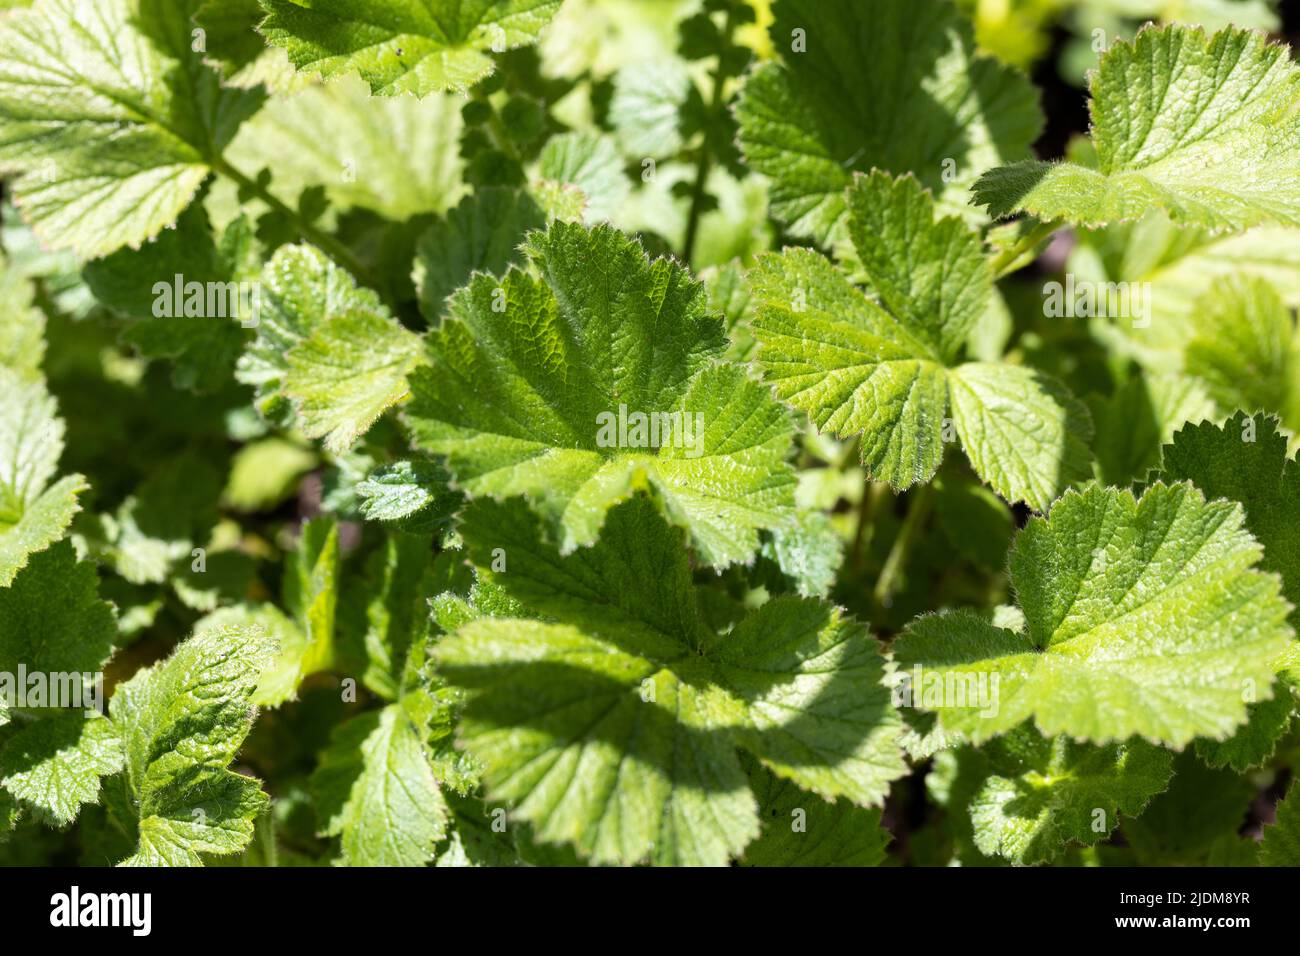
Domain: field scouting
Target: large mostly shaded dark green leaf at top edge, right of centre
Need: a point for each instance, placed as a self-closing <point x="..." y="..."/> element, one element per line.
<point x="896" y="88"/>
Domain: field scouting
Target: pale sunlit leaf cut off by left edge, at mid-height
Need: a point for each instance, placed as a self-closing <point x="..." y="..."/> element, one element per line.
<point x="33" y="513"/>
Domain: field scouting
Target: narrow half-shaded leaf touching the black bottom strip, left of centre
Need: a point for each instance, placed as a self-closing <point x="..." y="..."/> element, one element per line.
<point x="376" y="789"/>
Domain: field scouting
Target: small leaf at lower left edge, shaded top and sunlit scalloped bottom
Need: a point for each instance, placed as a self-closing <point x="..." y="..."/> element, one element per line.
<point x="55" y="764"/>
